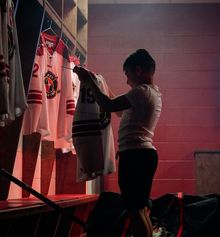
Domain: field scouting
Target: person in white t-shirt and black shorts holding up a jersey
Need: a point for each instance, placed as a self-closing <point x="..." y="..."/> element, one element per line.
<point x="138" y="158"/>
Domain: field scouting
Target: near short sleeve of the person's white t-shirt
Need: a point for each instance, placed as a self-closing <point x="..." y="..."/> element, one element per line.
<point x="139" y="95"/>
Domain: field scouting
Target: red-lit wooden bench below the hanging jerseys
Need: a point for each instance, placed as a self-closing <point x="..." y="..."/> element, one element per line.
<point x="29" y="217"/>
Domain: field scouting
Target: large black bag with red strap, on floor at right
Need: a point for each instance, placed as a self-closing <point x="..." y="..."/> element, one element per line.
<point x="200" y="215"/>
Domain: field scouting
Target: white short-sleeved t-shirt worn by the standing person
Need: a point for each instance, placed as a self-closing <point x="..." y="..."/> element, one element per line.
<point x="138" y="122"/>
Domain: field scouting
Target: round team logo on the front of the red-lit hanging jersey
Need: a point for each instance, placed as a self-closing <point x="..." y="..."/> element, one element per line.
<point x="51" y="84"/>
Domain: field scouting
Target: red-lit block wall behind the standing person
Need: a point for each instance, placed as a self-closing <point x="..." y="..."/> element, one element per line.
<point x="185" y="41"/>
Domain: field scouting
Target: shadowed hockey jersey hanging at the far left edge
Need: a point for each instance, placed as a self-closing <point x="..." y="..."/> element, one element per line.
<point x="12" y="95"/>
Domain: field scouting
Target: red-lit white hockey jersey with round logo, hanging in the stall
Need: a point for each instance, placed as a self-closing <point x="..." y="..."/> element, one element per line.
<point x="51" y="101"/>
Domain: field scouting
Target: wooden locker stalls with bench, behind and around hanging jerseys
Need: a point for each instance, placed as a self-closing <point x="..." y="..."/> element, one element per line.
<point x="37" y="163"/>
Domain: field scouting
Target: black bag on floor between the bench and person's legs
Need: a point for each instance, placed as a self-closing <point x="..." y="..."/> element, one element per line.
<point x="107" y="218"/>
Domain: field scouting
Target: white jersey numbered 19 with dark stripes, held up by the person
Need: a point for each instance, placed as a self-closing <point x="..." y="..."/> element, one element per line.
<point x="92" y="135"/>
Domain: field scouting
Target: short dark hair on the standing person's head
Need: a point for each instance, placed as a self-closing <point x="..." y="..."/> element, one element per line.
<point x="141" y="58"/>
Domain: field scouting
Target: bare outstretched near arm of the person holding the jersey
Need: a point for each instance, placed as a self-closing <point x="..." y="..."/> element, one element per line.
<point x="110" y="105"/>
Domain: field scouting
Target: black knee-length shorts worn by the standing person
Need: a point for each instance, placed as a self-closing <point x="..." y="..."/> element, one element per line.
<point x="136" y="171"/>
